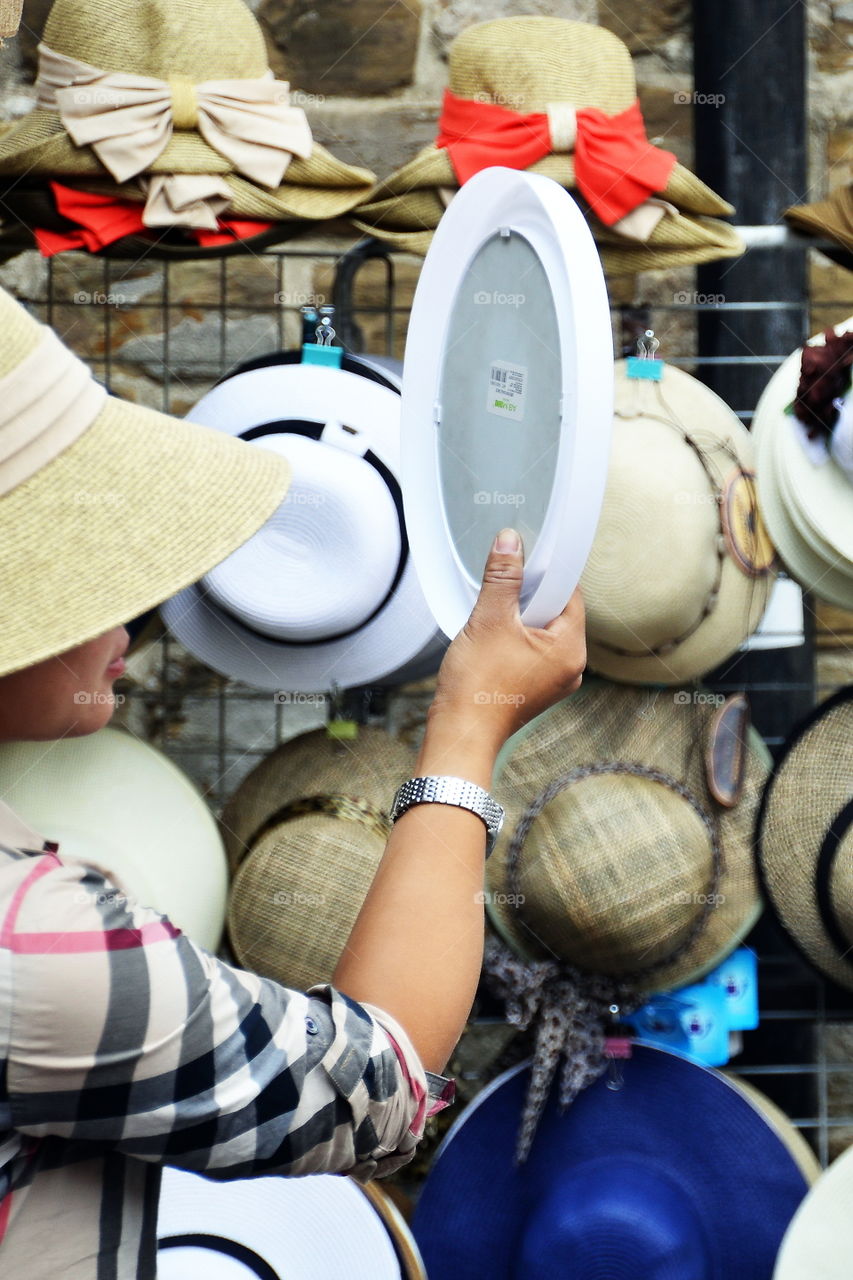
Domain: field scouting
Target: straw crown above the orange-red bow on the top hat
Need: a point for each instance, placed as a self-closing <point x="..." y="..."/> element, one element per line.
<point x="526" y="63"/>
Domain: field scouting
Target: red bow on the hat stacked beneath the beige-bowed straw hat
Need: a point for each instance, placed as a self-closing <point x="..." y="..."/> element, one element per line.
<point x="103" y="220"/>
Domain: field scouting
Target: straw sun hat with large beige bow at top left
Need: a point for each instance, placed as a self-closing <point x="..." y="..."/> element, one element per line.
<point x="172" y="103"/>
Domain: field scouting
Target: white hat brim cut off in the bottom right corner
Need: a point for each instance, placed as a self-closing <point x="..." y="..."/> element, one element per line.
<point x="819" y="1241"/>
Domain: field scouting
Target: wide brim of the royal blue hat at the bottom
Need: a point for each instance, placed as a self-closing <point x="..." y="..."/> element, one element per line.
<point x="672" y="1117"/>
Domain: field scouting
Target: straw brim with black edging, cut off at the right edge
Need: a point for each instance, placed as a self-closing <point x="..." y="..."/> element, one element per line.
<point x="809" y="788"/>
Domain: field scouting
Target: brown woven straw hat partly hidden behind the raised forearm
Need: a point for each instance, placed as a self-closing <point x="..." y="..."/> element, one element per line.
<point x="305" y="833"/>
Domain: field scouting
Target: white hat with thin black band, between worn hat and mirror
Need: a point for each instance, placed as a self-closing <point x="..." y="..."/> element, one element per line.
<point x="326" y="593"/>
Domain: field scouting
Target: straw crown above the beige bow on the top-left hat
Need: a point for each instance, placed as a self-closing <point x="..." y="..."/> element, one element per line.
<point x="163" y="39"/>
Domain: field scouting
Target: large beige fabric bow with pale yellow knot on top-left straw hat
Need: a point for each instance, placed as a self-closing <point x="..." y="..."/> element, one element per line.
<point x="129" y="122"/>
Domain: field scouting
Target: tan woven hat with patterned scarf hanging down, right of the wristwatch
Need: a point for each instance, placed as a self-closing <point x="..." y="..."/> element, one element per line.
<point x="626" y="863"/>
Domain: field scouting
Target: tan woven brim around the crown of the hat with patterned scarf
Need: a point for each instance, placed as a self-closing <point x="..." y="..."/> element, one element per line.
<point x="658" y="730"/>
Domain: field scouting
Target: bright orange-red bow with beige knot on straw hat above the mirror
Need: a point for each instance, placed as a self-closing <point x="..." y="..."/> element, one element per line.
<point x="617" y="167"/>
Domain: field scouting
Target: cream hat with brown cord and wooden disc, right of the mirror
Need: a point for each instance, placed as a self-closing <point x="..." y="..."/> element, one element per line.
<point x="682" y="569"/>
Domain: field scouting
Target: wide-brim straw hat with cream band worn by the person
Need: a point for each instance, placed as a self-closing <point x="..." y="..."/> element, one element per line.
<point x="106" y="508"/>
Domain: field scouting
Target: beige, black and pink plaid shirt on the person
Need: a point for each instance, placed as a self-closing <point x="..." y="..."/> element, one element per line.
<point x="126" y="1048"/>
